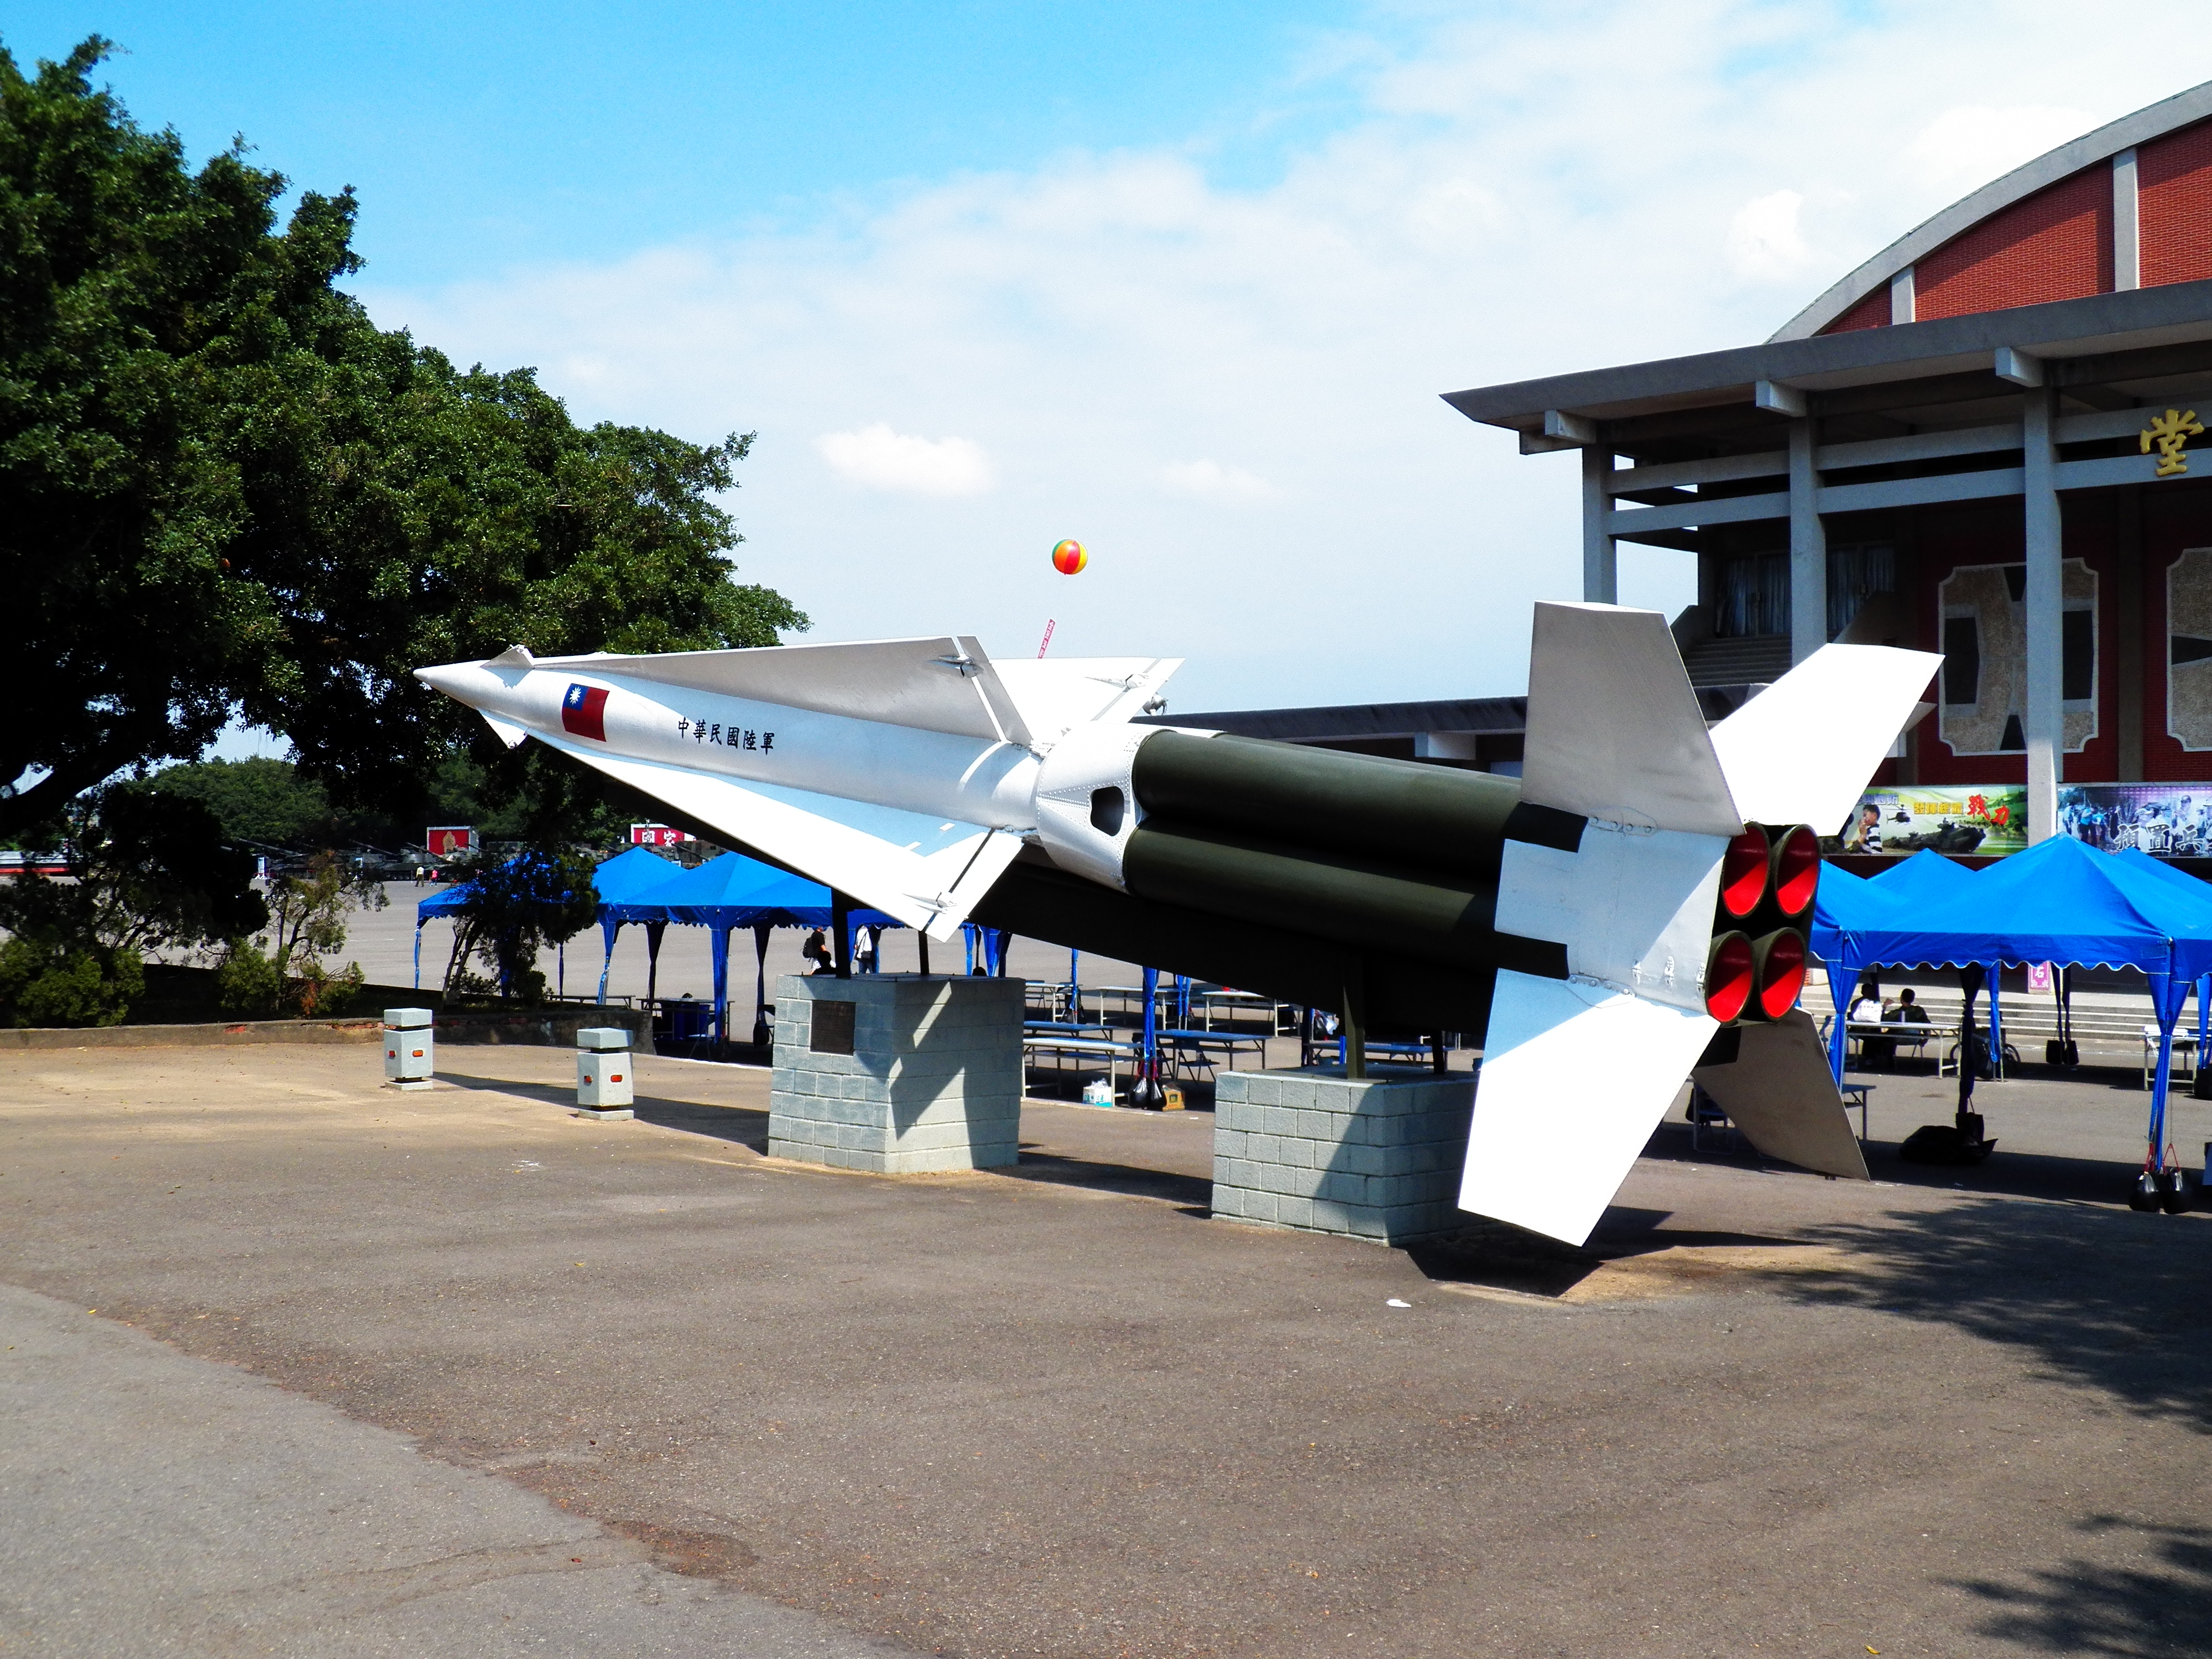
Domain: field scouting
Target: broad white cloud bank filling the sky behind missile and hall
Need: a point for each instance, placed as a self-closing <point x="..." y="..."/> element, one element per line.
<point x="1525" y="191"/>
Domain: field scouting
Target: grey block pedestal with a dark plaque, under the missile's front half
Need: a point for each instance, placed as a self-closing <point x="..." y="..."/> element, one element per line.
<point x="897" y="1074"/>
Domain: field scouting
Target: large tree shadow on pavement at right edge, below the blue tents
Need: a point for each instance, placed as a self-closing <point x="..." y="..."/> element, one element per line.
<point x="2098" y="1297"/>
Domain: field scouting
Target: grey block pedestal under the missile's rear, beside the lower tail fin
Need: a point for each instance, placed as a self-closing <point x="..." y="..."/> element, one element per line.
<point x="1368" y="1158"/>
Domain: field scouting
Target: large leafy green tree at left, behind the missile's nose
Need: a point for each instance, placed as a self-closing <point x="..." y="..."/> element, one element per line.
<point x="225" y="490"/>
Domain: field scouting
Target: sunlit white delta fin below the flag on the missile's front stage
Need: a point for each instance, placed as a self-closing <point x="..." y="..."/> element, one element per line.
<point x="919" y="870"/>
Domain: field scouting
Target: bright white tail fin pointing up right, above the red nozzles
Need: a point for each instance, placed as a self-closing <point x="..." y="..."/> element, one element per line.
<point x="1806" y="747"/>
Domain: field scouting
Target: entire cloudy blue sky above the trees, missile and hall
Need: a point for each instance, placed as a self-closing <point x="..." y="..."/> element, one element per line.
<point x="1180" y="282"/>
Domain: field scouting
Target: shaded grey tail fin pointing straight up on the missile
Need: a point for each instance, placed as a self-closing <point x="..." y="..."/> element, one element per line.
<point x="1614" y="727"/>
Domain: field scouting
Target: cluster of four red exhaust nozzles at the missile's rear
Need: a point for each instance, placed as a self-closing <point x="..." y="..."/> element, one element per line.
<point x="1755" y="966"/>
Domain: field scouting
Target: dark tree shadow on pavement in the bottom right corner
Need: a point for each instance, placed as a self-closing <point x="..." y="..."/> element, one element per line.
<point x="2153" y="1609"/>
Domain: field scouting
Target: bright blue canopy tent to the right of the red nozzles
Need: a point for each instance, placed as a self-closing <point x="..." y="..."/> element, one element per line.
<point x="2056" y="904"/>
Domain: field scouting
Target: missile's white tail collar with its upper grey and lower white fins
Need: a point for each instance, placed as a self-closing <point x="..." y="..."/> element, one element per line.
<point x="1576" y="1074"/>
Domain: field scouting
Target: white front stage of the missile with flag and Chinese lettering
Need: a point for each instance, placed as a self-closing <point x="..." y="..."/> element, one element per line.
<point x="906" y="773"/>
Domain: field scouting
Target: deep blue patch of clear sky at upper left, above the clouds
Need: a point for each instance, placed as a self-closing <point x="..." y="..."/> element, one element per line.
<point x="486" y="136"/>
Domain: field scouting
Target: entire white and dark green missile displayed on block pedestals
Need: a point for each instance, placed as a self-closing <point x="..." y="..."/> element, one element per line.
<point x="1569" y="917"/>
